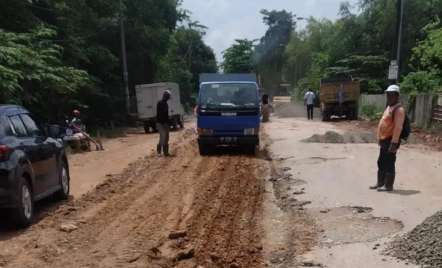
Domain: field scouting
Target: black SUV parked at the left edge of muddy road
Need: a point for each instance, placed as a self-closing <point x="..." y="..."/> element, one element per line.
<point x="33" y="165"/>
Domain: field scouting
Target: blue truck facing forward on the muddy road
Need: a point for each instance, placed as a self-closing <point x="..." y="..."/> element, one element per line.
<point x="228" y="111"/>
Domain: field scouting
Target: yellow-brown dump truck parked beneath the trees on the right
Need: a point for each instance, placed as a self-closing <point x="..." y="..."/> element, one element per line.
<point x="339" y="97"/>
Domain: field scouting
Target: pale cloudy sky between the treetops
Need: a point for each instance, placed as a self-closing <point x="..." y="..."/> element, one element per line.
<point x="238" y="19"/>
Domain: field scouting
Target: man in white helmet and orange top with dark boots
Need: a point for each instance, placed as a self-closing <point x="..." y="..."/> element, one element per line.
<point x="389" y="132"/>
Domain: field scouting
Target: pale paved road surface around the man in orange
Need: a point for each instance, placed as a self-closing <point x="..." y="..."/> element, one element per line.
<point x="356" y="224"/>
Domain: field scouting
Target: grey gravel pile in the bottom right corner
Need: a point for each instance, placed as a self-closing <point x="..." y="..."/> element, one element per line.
<point x="423" y="245"/>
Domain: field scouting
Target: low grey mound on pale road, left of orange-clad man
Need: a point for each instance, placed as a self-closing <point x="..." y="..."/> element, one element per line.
<point x="334" y="137"/>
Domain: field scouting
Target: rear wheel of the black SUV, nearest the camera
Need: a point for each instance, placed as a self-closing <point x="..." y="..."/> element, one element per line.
<point x="24" y="210"/>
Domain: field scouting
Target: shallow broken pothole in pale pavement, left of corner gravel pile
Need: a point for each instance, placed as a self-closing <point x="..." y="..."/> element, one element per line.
<point x="348" y="225"/>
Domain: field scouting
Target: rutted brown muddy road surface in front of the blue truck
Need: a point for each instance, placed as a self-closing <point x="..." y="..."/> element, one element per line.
<point x="183" y="211"/>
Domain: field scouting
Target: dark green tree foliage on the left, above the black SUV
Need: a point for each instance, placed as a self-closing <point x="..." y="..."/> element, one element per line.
<point x="64" y="54"/>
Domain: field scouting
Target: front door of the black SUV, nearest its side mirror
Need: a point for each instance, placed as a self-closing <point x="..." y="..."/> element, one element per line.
<point x="47" y="150"/>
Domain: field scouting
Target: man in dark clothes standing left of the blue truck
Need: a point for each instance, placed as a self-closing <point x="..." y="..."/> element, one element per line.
<point x="163" y="123"/>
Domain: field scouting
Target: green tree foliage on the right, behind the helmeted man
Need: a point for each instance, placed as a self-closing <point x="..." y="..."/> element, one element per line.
<point x="361" y="46"/>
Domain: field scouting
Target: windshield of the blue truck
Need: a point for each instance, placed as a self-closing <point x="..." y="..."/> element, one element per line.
<point x="225" y="95"/>
